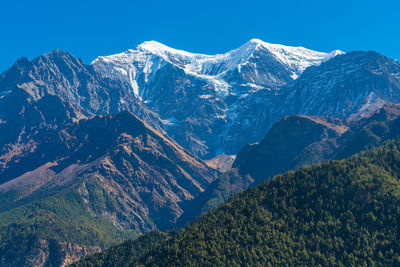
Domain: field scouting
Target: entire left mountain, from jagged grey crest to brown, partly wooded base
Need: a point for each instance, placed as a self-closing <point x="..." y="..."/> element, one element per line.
<point x="77" y="169"/>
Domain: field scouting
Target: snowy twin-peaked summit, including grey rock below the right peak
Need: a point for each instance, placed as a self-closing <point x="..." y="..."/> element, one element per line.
<point x="261" y="61"/>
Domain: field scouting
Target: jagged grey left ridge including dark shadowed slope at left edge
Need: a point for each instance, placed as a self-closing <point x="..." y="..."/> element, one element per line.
<point x="77" y="85"/>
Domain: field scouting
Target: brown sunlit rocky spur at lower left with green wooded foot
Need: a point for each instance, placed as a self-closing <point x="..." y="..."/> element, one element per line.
<point x="120" y="176"/>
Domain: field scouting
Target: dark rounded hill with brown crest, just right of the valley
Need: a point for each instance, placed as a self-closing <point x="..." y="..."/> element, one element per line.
<point x="288" y="140"/>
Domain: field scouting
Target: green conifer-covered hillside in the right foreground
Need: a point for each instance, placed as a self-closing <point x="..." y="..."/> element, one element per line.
<point x="337" y="213"/>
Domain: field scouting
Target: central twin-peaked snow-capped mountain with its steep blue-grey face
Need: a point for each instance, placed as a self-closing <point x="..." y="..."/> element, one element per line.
<point x="200" y="97"/>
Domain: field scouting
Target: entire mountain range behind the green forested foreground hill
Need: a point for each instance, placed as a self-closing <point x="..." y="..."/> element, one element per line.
<point x="94" y="154"/>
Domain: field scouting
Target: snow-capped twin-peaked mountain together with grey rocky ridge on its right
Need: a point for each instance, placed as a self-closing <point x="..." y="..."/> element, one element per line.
<point x="212" y="104"/>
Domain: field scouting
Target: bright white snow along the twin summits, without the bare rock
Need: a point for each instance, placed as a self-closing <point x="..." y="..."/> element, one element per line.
<point x="148" y="57"/>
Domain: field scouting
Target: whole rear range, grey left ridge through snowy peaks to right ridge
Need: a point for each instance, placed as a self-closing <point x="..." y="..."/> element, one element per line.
<point x="212" y="104"/>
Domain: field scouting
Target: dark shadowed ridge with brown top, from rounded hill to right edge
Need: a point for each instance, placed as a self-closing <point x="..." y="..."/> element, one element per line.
<point x="300" y="140"/>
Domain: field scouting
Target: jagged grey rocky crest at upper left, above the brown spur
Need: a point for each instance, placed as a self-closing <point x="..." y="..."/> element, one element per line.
<point x="60" y="74"/>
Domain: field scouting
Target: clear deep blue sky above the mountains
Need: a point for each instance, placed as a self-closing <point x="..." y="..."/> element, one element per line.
<point x="92" y="28"/>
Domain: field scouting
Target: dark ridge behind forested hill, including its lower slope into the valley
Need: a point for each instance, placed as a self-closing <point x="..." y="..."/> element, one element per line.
<point x="291" y="143"/>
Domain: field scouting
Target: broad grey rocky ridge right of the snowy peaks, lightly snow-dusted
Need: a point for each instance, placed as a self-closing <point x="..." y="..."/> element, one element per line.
<point x="348" y="86"/>
